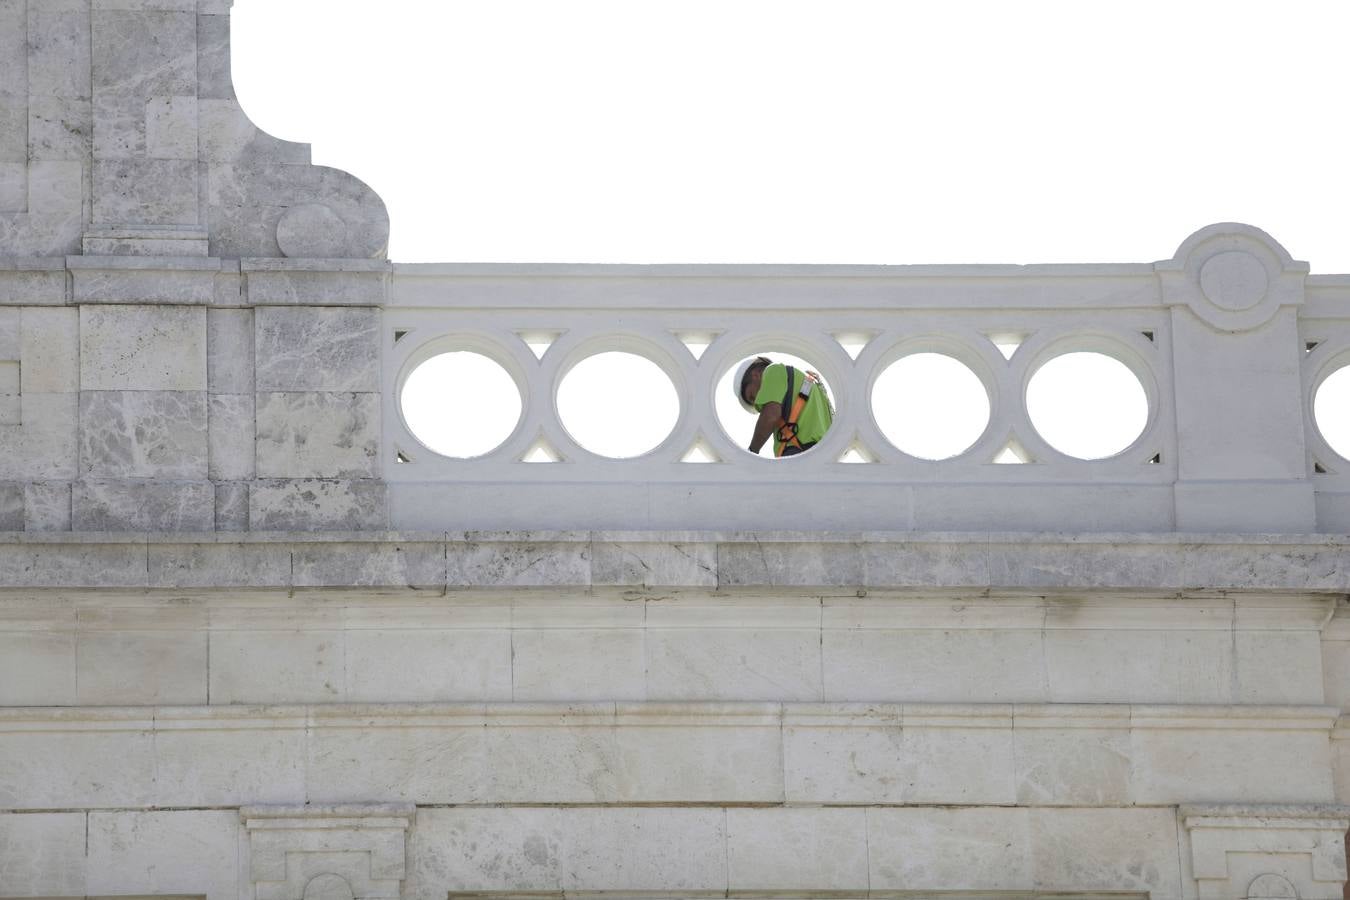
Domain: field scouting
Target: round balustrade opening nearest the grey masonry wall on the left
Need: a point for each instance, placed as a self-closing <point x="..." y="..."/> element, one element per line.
<point x="461" y="404"/>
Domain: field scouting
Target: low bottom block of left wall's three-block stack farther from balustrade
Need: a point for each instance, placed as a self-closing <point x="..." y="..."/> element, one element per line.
<point x="144" y="507"/>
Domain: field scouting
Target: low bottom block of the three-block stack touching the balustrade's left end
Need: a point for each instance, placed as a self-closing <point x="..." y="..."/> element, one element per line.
<point x="317" y="505"/>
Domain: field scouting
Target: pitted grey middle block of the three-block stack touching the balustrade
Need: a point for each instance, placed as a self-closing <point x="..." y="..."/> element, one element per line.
<point x="318" y="435"/>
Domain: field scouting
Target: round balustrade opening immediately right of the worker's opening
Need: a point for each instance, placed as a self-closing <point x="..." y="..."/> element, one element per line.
<point x="931" y="405"/>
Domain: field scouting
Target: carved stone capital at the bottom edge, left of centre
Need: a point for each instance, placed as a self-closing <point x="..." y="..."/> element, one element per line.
<point x="330" y="852"/>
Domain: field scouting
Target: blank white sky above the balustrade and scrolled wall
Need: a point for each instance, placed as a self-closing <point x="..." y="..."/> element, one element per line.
<point x="831" y="132"/>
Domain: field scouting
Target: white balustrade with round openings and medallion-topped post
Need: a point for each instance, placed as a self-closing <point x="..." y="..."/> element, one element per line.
<point x="1218" y="338"/>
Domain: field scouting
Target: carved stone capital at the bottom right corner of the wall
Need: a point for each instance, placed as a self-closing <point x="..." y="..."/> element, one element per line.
<point x="1266" y="852"/>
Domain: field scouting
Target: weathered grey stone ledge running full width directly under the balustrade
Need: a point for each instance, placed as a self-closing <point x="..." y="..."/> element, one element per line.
<point x="1162" y="565"/>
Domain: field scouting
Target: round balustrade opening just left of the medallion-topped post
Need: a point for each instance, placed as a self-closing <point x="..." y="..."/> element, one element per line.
<point x="1087" y="405"/>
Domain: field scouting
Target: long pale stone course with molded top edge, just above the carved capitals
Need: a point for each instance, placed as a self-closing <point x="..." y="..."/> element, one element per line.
<point x="616" y="754"/>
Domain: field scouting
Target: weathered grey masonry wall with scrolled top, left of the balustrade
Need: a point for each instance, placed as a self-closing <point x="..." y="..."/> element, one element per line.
<point x="151" y="380"/>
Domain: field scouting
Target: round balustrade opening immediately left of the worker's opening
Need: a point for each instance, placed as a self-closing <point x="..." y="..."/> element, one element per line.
<point x="618" y="405"/>
